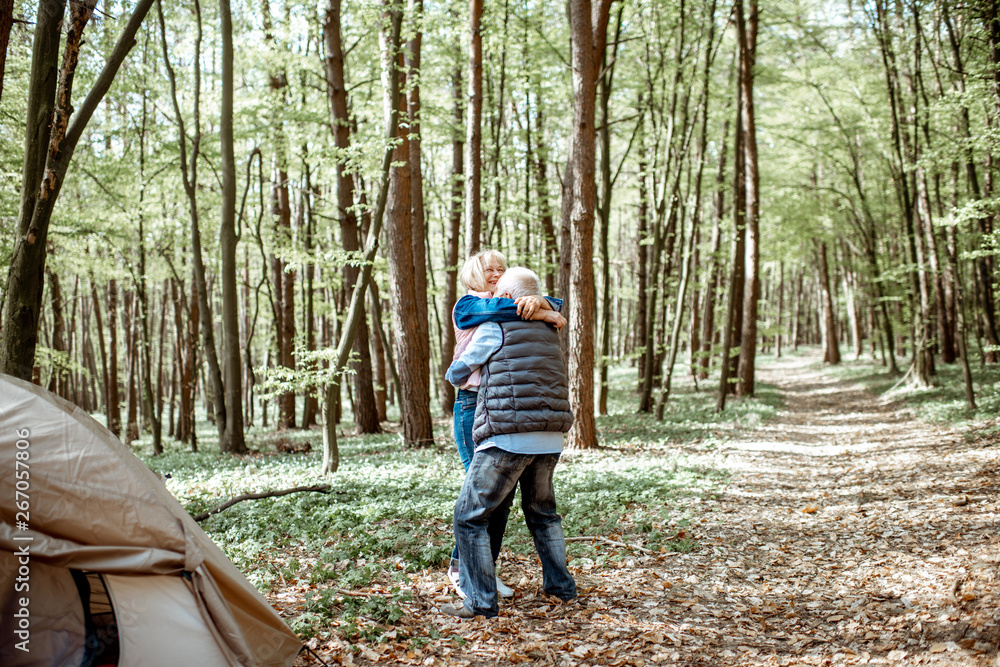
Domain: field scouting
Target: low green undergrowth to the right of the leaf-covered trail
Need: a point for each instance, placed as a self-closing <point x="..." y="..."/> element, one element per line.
<point x="944" y="401"/>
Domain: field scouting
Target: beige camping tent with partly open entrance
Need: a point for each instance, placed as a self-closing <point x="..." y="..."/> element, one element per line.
<point x="99" y="563"/>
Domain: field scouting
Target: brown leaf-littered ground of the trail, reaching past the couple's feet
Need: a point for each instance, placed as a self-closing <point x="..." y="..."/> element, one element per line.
<point x="849" y="533"/>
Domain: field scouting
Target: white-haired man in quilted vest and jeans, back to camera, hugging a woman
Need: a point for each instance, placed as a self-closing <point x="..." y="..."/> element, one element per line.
<point x="521" y="415"/>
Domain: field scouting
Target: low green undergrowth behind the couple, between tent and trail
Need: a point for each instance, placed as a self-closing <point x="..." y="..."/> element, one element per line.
<point x="387" y="516"/>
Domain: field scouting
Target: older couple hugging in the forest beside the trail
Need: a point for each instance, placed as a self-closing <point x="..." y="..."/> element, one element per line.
<point x="511" y="411"/>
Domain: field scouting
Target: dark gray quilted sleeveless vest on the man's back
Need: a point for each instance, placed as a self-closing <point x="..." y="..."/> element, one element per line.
<point x="524" y="385"/>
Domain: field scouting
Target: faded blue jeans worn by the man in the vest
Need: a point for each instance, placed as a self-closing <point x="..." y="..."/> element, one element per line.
<point x="490" y="481"/>
